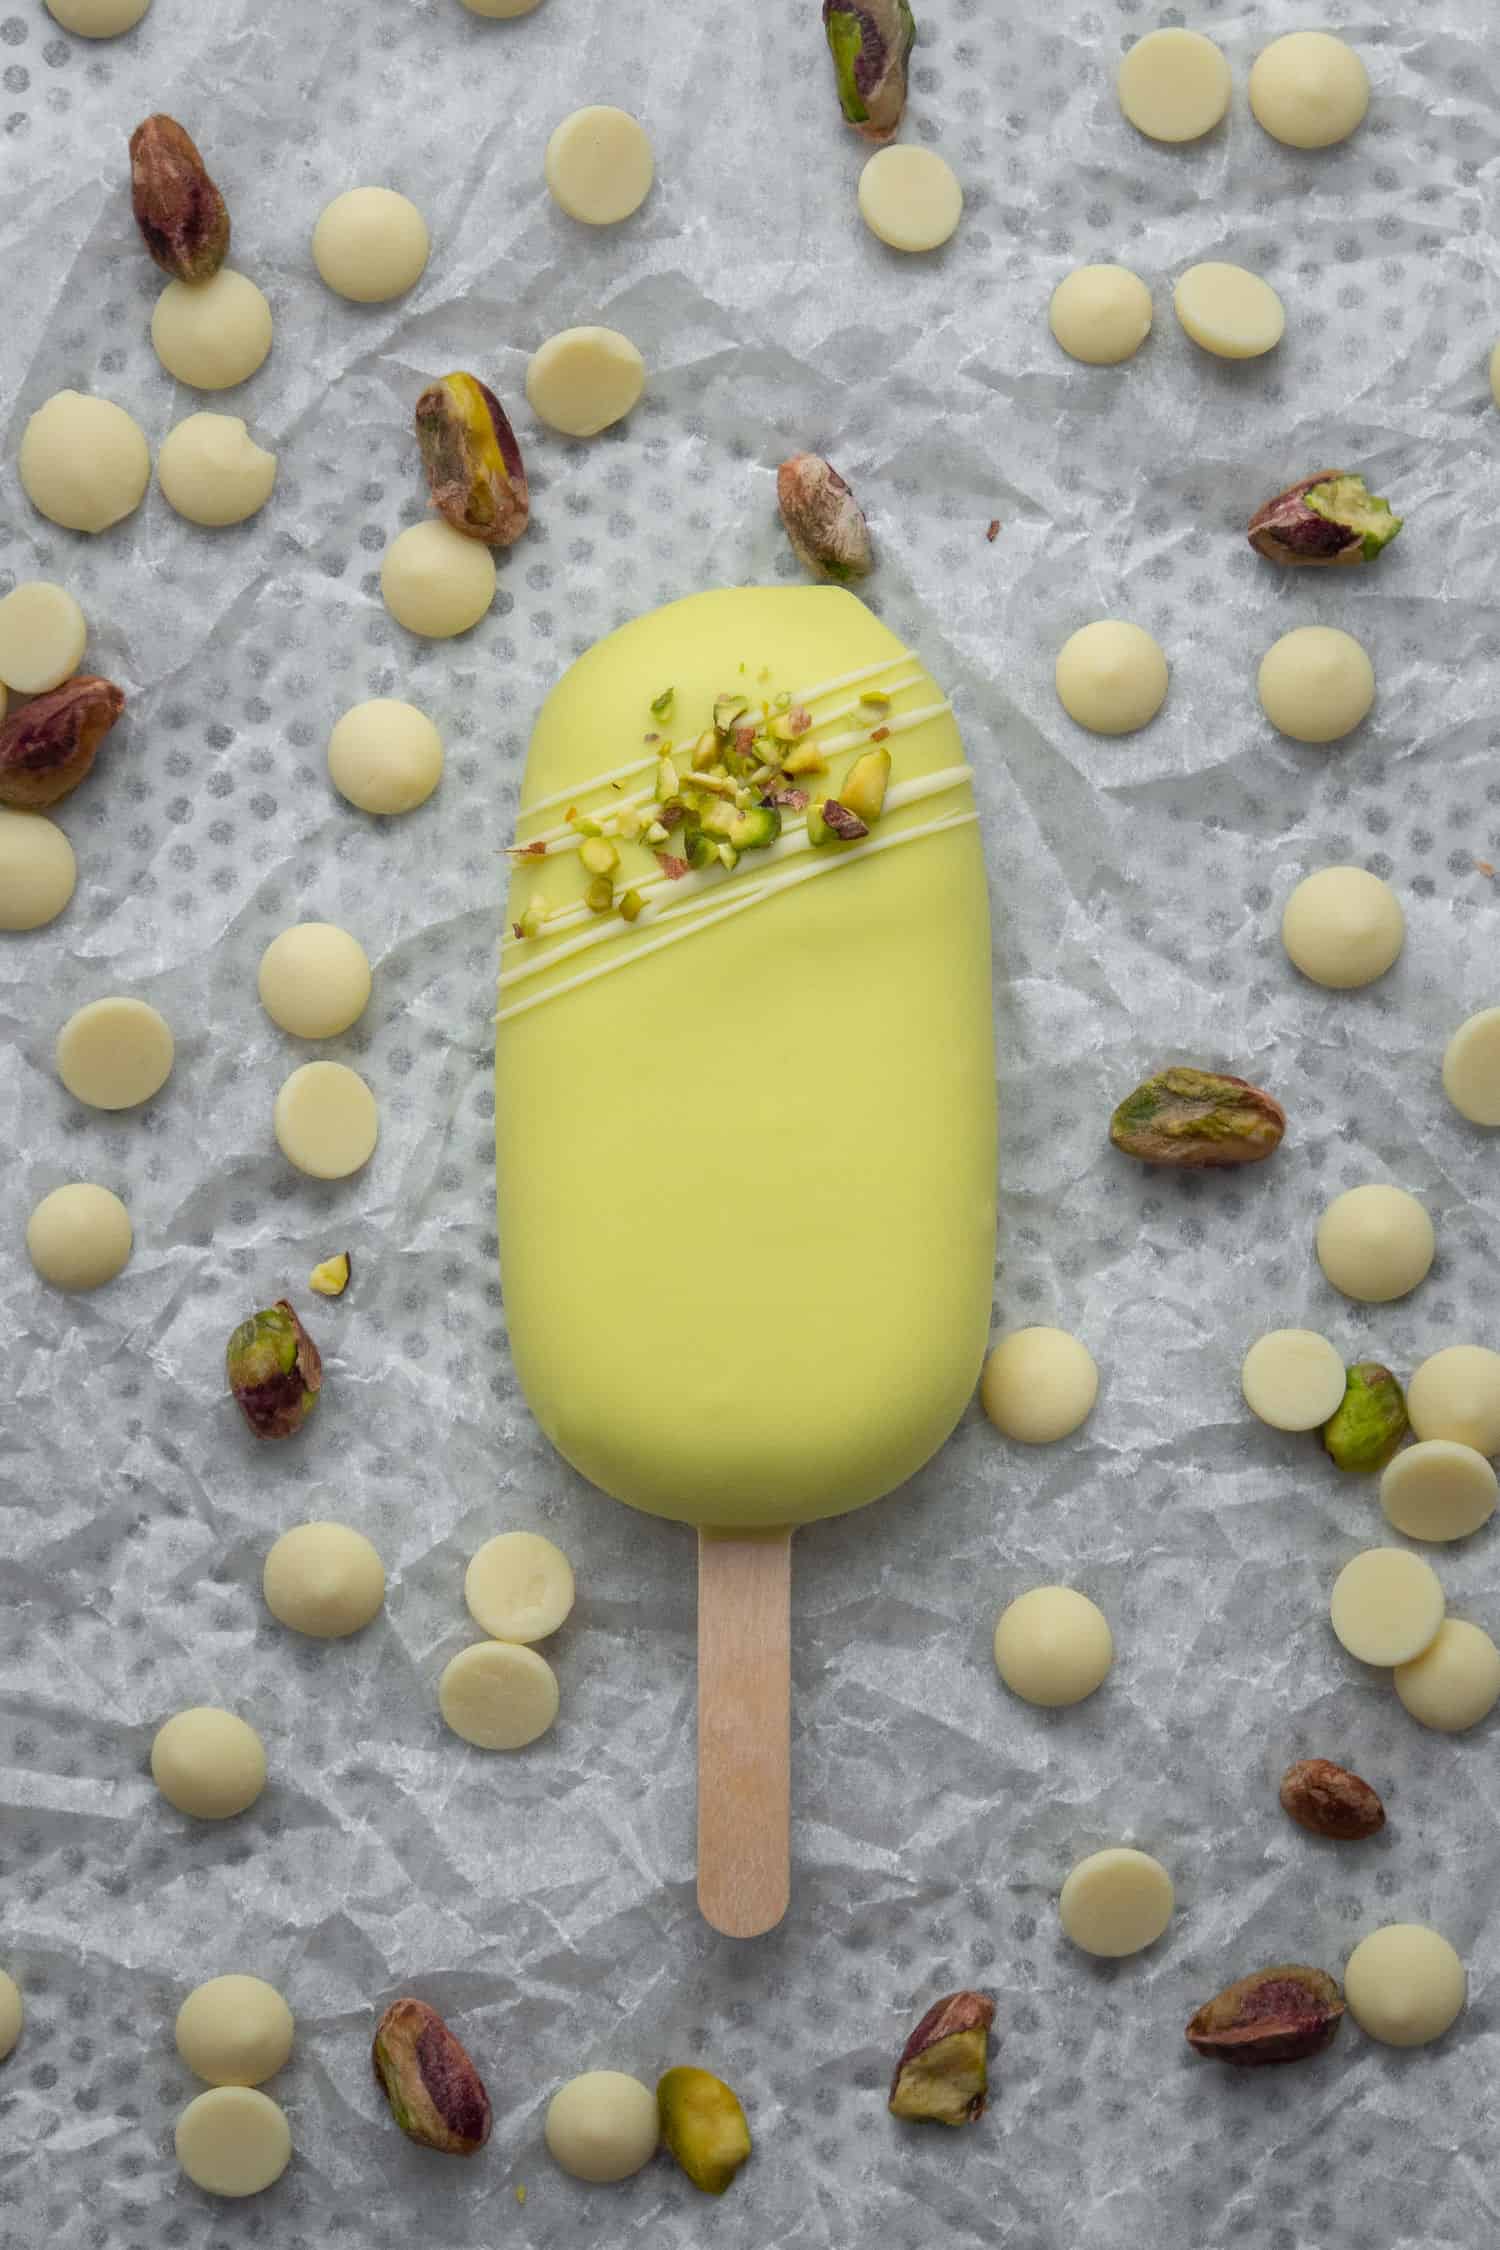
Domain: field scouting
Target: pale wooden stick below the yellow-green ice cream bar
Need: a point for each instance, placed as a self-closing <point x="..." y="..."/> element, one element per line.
<point x="743" y="1731"/>
